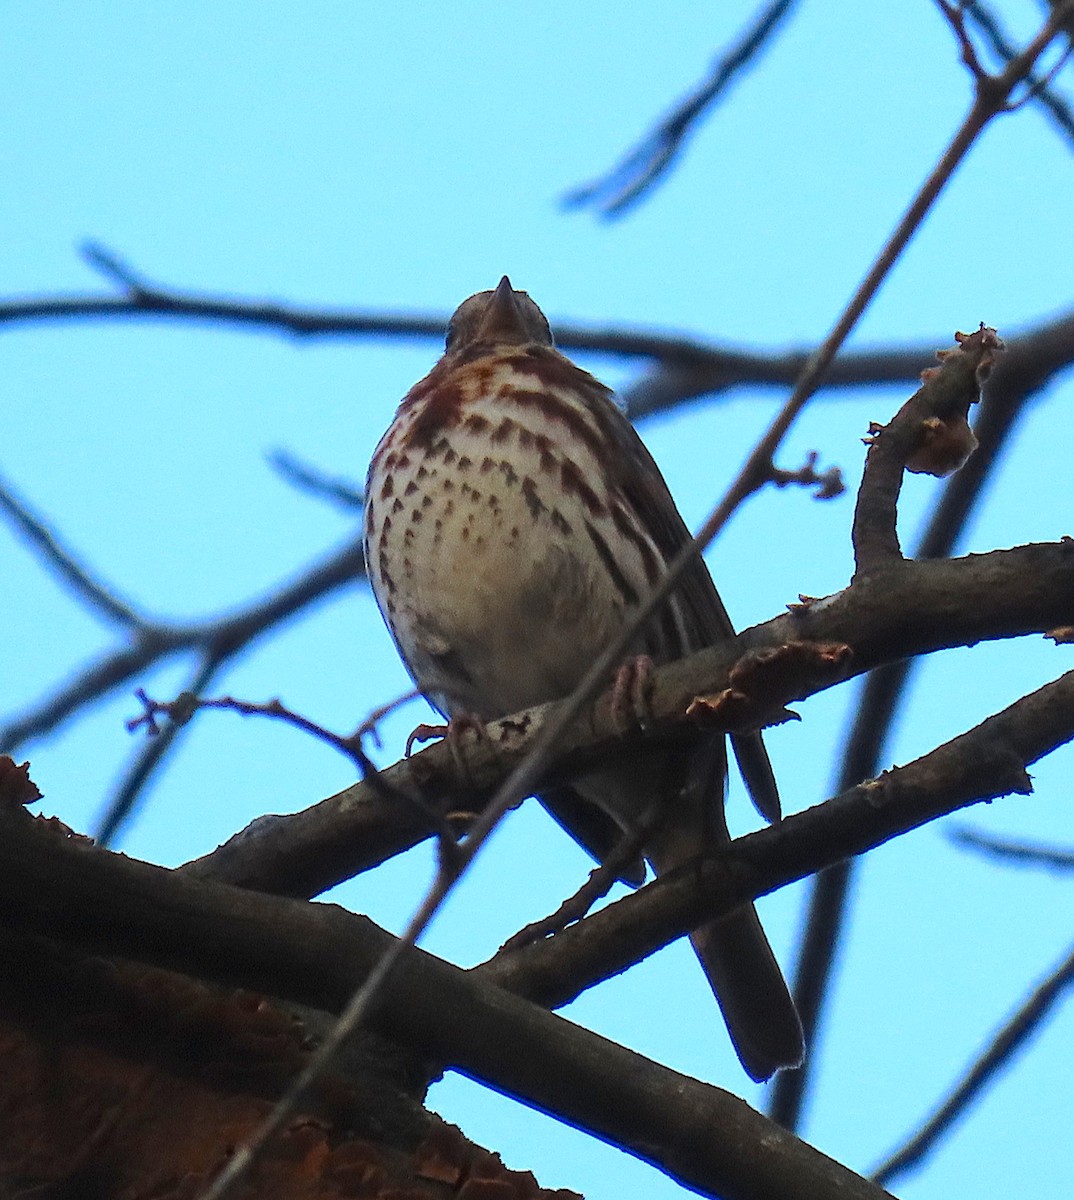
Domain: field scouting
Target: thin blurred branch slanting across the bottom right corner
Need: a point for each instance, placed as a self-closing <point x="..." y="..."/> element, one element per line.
<point x="1006" y="1043"/>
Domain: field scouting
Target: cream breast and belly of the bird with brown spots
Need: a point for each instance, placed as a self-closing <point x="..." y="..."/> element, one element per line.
<point x="497" y="554"/>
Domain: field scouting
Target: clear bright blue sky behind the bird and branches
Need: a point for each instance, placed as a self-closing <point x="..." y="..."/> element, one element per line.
<point x="401" y="158"/>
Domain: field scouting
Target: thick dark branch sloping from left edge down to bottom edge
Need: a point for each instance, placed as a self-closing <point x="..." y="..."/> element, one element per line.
<point x="319" y="955"/>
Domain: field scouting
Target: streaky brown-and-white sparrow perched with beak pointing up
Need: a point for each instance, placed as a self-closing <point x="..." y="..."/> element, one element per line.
<point x="514" y="520"/>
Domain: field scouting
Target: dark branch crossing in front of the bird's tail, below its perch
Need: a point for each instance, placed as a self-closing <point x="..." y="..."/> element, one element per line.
<point x="987" y="763"/>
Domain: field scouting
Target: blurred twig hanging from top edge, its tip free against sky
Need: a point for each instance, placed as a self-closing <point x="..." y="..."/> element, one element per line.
<point x="651" y="160"/>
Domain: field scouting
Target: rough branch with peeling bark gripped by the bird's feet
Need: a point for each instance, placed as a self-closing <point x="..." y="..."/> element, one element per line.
<point x="919" y="609"/>
